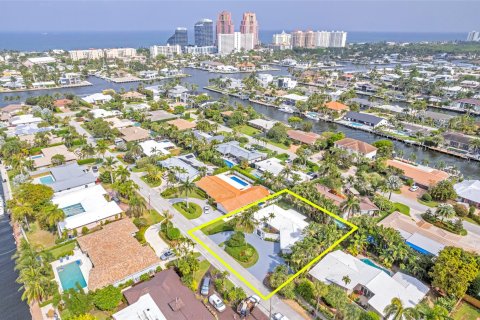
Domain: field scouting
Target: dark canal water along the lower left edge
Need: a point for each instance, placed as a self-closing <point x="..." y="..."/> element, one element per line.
<point x="11" y="307"/>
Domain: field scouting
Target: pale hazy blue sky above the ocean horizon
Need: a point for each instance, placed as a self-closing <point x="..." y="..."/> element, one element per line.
<point x="353" y="15"/>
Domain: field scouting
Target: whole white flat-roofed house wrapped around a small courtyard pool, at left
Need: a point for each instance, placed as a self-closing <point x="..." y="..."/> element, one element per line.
<point x="85" y="208"/>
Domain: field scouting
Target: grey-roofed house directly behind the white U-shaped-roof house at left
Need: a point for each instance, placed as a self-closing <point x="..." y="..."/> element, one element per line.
<point x="65" y="178"/>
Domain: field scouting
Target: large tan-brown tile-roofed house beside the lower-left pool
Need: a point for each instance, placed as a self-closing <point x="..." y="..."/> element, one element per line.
<point x="116" y="256"/>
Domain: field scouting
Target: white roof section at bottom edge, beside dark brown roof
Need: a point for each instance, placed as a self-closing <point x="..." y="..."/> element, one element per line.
<point x="144" y="309"/>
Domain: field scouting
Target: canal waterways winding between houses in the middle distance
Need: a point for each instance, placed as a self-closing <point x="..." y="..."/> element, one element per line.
<point x="470" y="169"/>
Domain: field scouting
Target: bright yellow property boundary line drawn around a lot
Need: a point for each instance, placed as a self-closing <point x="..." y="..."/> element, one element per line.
<point x="311" y="263"/>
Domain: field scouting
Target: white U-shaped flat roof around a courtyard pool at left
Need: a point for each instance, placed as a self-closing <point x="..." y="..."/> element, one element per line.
<point x="94" y="205"/>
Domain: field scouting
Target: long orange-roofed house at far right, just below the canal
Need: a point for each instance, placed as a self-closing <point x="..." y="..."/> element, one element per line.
<point x="423" y="176"/>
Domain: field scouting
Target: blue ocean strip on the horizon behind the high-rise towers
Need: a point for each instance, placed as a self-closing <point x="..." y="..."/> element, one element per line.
<point x="43" y="41"/>
